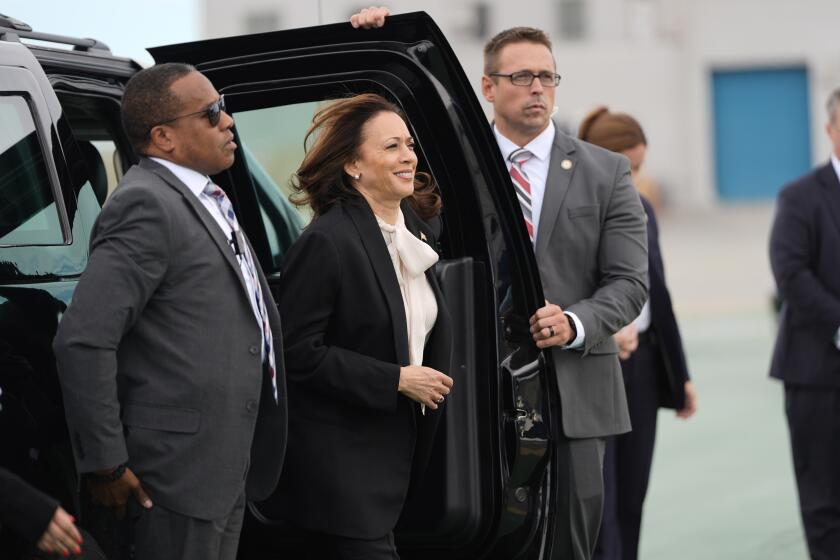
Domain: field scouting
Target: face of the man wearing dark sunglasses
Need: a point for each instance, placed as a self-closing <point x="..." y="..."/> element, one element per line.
<point x="192" y="141"/>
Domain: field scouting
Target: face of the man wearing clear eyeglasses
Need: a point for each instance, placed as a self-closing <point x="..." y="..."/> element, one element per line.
<point x="521" y="112"/>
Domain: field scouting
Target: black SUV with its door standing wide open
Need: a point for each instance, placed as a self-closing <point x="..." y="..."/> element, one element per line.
<point x="62" y="150"/>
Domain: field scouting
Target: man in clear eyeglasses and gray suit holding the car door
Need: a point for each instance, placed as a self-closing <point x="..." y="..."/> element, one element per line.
<point x="587" y="226"/>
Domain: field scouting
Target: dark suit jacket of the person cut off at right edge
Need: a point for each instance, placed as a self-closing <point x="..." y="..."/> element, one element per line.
<point x="805" y="258"/>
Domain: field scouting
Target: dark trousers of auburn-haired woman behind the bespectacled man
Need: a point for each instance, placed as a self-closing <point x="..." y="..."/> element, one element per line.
<point x="628" y="460"/>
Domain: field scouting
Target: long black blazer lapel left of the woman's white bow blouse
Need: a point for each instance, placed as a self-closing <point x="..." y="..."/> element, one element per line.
<point x="380" y="260"/>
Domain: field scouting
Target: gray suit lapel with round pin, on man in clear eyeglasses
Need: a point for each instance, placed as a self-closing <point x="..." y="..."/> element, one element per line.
<point x="557" y="183"/>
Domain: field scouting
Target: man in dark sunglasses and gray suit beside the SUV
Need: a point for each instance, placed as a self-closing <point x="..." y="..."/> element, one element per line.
<point x="170" y="355"/>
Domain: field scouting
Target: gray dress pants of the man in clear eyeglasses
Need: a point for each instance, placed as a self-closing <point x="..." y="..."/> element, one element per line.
<point x="580" y="489"/>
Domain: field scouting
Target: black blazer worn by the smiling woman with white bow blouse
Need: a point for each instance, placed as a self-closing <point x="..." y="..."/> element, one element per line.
<point x="354" y="441"/>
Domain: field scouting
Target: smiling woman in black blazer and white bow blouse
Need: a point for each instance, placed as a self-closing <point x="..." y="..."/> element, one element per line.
<point x="366" y="332"/>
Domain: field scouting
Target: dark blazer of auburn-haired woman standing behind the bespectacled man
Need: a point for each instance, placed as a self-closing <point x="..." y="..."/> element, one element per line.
<point x="673" y="371"/>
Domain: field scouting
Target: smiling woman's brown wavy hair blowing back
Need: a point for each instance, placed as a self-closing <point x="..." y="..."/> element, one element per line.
<point x="337" y="129"/>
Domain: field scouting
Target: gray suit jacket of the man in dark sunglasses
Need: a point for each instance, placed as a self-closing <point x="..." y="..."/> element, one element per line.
<point x="159" y="354"/>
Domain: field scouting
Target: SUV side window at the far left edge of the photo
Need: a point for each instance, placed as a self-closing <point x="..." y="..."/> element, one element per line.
<point x="28" y="214"/>
